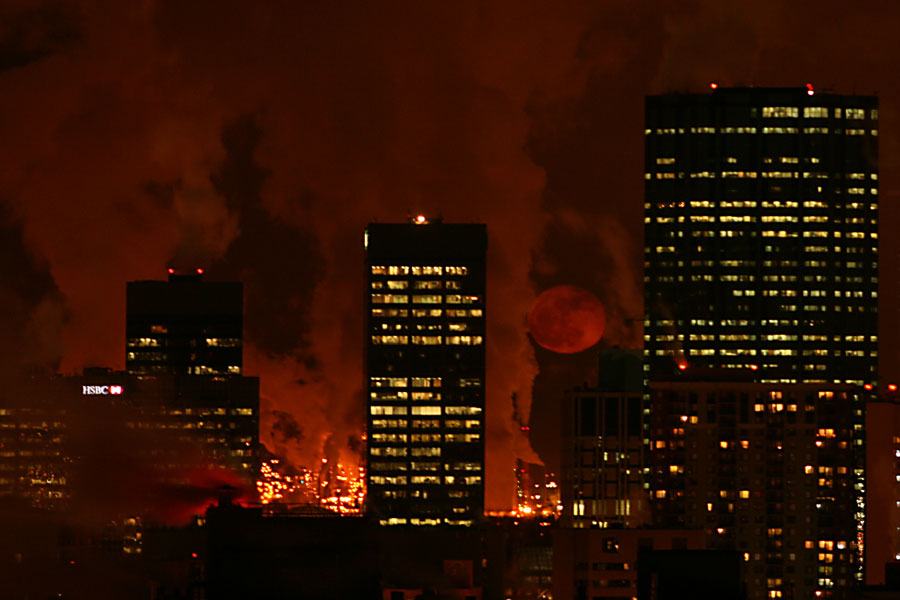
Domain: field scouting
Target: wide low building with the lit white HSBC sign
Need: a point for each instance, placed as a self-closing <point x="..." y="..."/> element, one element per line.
<point x="168" y="428"/>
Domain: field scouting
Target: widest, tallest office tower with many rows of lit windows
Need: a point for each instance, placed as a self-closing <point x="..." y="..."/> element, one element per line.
<point x="761" y="222"/>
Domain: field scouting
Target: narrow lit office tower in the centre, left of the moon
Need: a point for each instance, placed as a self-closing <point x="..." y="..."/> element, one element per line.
<point x="425" y="372"/>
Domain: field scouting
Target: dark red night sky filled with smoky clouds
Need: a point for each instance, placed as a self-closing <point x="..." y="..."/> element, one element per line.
<point x="258" y="139"/>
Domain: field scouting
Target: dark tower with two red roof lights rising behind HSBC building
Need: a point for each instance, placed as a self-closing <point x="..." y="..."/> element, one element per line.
<point x="184" y="326"/>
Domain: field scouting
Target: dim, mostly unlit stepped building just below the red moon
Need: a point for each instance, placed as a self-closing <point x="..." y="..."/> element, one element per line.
<point x="605" y="448"/>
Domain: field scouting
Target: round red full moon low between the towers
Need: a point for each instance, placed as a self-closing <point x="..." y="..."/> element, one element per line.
<point x="566" y="319"/>
